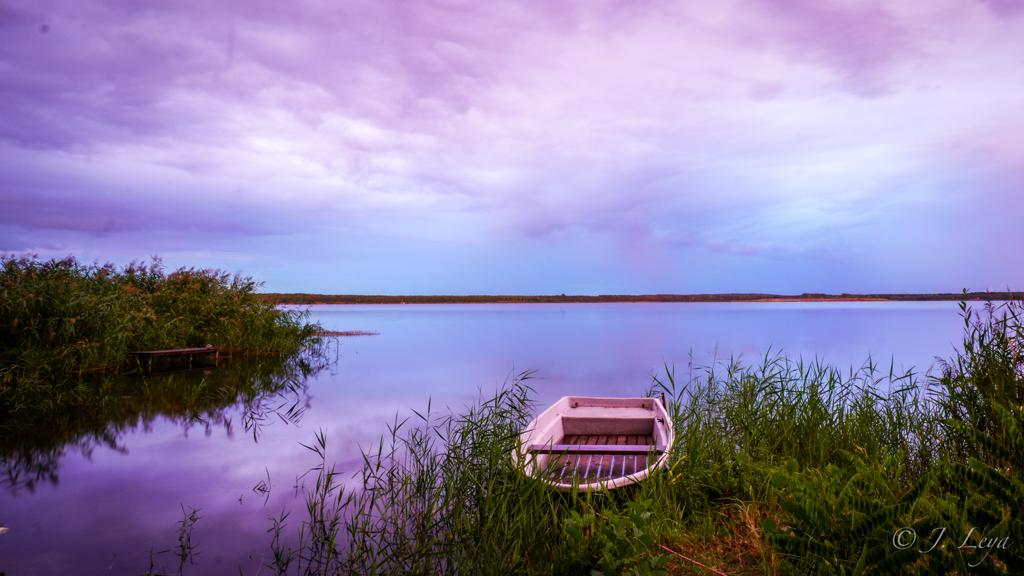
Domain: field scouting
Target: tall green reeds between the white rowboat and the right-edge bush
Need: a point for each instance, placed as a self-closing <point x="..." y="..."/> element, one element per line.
<point x="736" y="423"/>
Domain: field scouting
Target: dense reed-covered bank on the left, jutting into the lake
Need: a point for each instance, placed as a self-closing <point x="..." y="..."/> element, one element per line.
<point x="64" y="321"/>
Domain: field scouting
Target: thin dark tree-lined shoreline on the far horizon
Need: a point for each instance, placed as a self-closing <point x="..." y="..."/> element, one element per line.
<point x="304" y="299"/>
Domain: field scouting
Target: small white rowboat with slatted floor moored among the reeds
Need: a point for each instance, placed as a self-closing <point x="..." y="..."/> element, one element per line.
<point x="583" y="443"/>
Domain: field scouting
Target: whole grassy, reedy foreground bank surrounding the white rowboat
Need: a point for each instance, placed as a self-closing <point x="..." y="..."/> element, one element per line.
<point x="779" y="468"/>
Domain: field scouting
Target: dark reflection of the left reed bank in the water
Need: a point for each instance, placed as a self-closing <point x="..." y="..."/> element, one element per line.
<point x="258" y="391"/>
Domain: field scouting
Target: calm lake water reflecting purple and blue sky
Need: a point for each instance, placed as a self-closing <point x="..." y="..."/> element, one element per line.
<point x="110" y="503"/>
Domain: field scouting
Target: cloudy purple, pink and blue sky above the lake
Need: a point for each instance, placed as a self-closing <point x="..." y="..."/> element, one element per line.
<point x="460" y="147"/>
